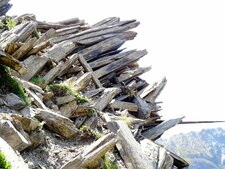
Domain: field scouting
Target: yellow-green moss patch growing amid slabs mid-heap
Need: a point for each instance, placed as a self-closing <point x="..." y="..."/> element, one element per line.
<point x="64" y="89"/>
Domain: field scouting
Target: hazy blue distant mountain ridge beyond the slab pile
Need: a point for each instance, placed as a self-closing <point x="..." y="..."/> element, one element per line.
<point x="203" y="150"/>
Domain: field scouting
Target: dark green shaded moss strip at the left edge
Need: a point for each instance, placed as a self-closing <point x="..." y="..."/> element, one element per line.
<point x="12" y="85"/>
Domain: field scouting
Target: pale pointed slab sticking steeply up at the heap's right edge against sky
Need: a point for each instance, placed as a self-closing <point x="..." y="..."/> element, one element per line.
<point x="154" y="94"/>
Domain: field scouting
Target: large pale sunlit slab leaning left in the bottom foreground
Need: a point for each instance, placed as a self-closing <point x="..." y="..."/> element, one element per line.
<point x="133" y="156"/>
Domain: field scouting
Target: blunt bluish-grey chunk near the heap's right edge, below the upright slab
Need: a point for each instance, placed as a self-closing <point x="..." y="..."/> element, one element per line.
<point x="144" y="109"/>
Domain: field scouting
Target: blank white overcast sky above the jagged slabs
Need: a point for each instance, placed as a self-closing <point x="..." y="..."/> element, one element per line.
<point x="185" y="41"/>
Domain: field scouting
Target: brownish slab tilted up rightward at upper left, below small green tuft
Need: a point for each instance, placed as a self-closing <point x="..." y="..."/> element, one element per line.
<point x="23" y="50"/>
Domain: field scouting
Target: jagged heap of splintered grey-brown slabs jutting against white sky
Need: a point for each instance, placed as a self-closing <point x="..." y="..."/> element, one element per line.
<point x="53" y="60"/>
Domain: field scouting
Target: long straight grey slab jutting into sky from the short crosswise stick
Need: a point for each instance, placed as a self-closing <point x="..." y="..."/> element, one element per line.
<point x="119" y="63"/>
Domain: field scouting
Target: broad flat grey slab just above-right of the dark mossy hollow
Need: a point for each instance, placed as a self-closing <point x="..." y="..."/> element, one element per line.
<point x="34" y="64"/>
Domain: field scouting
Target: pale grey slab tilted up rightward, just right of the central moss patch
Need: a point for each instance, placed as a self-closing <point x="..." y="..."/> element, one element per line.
<point x="106" y="98"/>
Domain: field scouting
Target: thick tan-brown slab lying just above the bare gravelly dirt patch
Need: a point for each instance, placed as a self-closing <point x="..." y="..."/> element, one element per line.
<point x="57" y="123"/>
